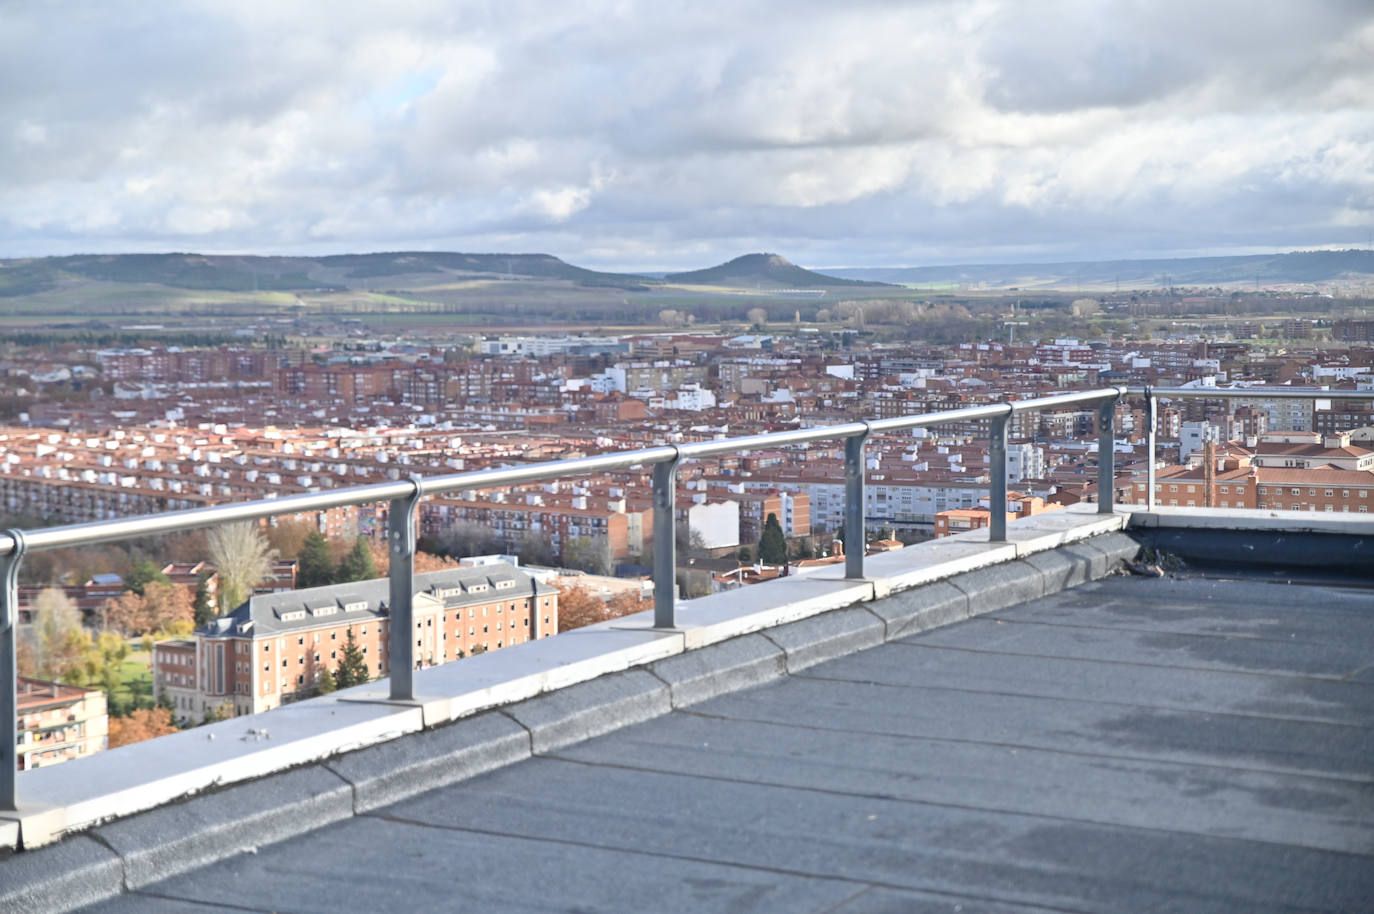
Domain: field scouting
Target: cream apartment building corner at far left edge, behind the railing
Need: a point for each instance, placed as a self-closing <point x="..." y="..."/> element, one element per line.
<point x="60" y="724"/>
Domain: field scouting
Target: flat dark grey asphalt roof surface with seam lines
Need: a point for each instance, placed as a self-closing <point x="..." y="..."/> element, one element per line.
<point x="1197" y="744"/>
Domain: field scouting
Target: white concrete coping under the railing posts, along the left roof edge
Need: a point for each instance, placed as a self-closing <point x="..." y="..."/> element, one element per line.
<point x="76" y="795"/>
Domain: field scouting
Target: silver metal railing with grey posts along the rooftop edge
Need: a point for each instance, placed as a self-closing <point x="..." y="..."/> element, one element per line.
<point x="405" y="495"/>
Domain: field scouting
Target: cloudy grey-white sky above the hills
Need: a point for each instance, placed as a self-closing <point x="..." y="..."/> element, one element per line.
<point x="673" y="135"/>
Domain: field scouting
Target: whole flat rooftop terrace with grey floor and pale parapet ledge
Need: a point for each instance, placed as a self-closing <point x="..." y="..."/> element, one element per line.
<point x="990" y="721"/>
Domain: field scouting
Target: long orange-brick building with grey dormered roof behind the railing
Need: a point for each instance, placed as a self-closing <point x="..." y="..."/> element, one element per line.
<point x="275" y="648"/>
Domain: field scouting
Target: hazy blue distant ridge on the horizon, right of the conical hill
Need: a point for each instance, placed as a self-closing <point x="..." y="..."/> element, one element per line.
<point x="1295" y="267"/>
